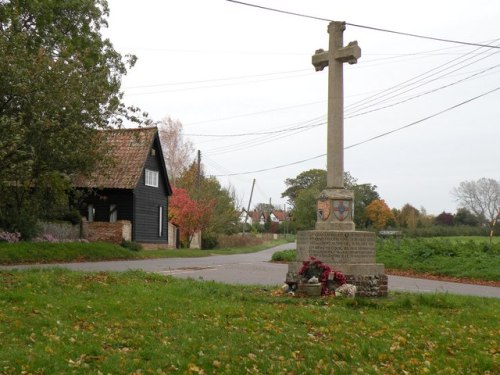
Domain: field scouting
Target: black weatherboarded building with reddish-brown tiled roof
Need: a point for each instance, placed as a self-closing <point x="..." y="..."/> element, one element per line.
<point x="133" y="186"/>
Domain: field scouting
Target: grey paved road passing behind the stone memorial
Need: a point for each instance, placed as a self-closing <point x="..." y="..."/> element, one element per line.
<point x="254" y="269"/>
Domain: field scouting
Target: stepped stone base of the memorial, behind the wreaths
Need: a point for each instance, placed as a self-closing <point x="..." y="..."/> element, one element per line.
<point x="350" y="252"/>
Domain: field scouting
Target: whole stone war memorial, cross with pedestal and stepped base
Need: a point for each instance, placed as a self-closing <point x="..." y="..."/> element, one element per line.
<point x="334" y="240"/>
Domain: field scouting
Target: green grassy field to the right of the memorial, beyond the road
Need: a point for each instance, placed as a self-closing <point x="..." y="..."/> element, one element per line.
<point x="469" y="257"/>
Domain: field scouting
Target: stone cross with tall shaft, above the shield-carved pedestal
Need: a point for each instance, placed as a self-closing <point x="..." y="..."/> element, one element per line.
<point x="334" y="58"/>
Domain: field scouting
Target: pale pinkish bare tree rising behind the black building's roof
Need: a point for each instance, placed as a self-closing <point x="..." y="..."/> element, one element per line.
<point x="177" y="151"/>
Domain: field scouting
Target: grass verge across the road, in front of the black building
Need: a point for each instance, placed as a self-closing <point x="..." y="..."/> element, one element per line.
<point x="44" y="252"/>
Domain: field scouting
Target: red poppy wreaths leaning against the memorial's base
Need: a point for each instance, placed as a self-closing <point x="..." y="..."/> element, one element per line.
<point x="329" y="279"/>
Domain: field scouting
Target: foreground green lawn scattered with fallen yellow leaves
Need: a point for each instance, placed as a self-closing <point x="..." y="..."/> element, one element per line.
<point x="62" y="322"/>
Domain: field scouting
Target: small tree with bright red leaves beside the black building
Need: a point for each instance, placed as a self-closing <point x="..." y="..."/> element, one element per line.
<point x="189" y="215"/>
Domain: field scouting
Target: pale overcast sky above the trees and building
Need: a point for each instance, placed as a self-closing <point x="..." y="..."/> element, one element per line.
<point x="225" y="70"/>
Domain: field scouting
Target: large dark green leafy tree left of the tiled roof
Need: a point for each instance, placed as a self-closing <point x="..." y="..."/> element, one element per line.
<point x="59" y="81"/>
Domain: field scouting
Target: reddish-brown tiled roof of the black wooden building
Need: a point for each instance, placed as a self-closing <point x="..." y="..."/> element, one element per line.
<point x="129" y="150"/>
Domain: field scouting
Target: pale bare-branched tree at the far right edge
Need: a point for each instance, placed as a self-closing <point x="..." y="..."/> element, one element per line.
<point x="481" y="197"/>
